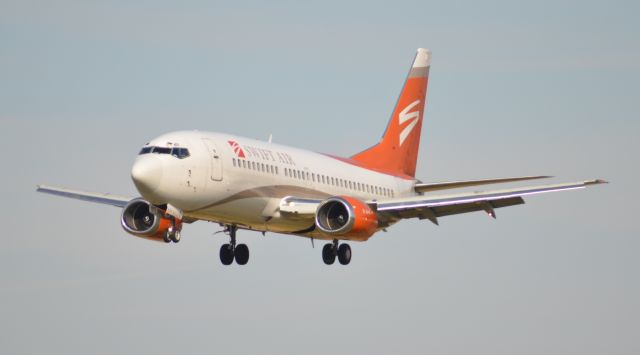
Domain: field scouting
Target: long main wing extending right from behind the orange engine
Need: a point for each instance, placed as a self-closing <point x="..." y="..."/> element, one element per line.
<point x="433" y="207"/>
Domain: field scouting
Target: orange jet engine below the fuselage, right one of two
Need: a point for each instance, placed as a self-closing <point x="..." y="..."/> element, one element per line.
<point x="346" y="217"/>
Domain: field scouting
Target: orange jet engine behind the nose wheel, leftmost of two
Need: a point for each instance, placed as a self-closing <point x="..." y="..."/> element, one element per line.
<point x="140" y="220"/>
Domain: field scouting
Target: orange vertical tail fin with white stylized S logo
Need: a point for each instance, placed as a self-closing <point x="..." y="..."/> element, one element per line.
<point x="397" y="152"/>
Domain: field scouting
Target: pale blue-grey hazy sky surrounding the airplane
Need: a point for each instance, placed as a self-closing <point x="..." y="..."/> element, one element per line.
<point x="516" y="88"/>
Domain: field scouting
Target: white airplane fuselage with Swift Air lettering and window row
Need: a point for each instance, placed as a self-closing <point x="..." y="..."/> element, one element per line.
<point x="241" y="181"/>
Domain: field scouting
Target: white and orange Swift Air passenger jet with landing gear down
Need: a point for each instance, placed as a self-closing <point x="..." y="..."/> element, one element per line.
<point x="248" y="184"/>
